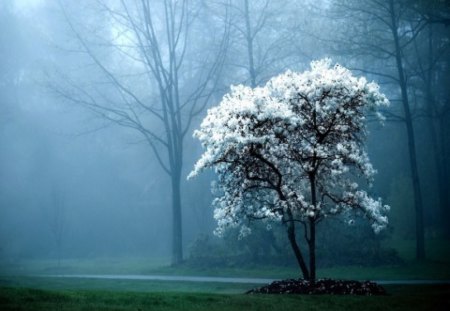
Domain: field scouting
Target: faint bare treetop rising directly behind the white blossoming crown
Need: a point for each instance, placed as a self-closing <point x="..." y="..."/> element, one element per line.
<point x="262" y="37"/>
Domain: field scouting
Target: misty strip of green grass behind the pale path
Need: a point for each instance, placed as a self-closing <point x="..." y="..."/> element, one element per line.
<point x="409" y="271"/>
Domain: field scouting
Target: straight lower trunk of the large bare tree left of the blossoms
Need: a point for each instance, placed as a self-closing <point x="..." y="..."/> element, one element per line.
<point x="177" y="241"/>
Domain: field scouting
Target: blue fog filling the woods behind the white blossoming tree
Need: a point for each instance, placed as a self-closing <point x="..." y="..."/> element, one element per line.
<point x="94" y="157"/>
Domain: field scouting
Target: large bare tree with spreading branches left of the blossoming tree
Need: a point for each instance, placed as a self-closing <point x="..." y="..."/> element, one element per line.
<point x="168" y="82"/>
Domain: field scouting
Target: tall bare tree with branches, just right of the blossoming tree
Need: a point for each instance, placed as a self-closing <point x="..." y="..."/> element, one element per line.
<point x="383" y="31"/>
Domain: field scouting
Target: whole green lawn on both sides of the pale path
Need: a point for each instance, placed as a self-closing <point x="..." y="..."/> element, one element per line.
<point x="20" y="290"/>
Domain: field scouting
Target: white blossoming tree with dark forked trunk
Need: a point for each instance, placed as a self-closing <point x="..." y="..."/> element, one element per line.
<point x="291" y="152"/>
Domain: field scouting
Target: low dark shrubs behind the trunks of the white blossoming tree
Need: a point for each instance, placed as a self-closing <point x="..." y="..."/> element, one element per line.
<point x="336" y="246"/>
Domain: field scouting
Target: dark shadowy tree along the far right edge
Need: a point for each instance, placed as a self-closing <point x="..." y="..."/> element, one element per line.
<point x="430" y="53"/>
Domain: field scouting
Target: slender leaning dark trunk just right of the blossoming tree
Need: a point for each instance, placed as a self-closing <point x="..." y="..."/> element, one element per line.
<point x="420" y="236"/>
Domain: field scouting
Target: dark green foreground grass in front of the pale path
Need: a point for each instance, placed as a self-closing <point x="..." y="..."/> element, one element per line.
<point x="400" y="298"/>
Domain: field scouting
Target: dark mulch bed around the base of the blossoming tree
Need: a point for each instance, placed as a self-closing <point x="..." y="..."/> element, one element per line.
<point x="322" y="286"/>
